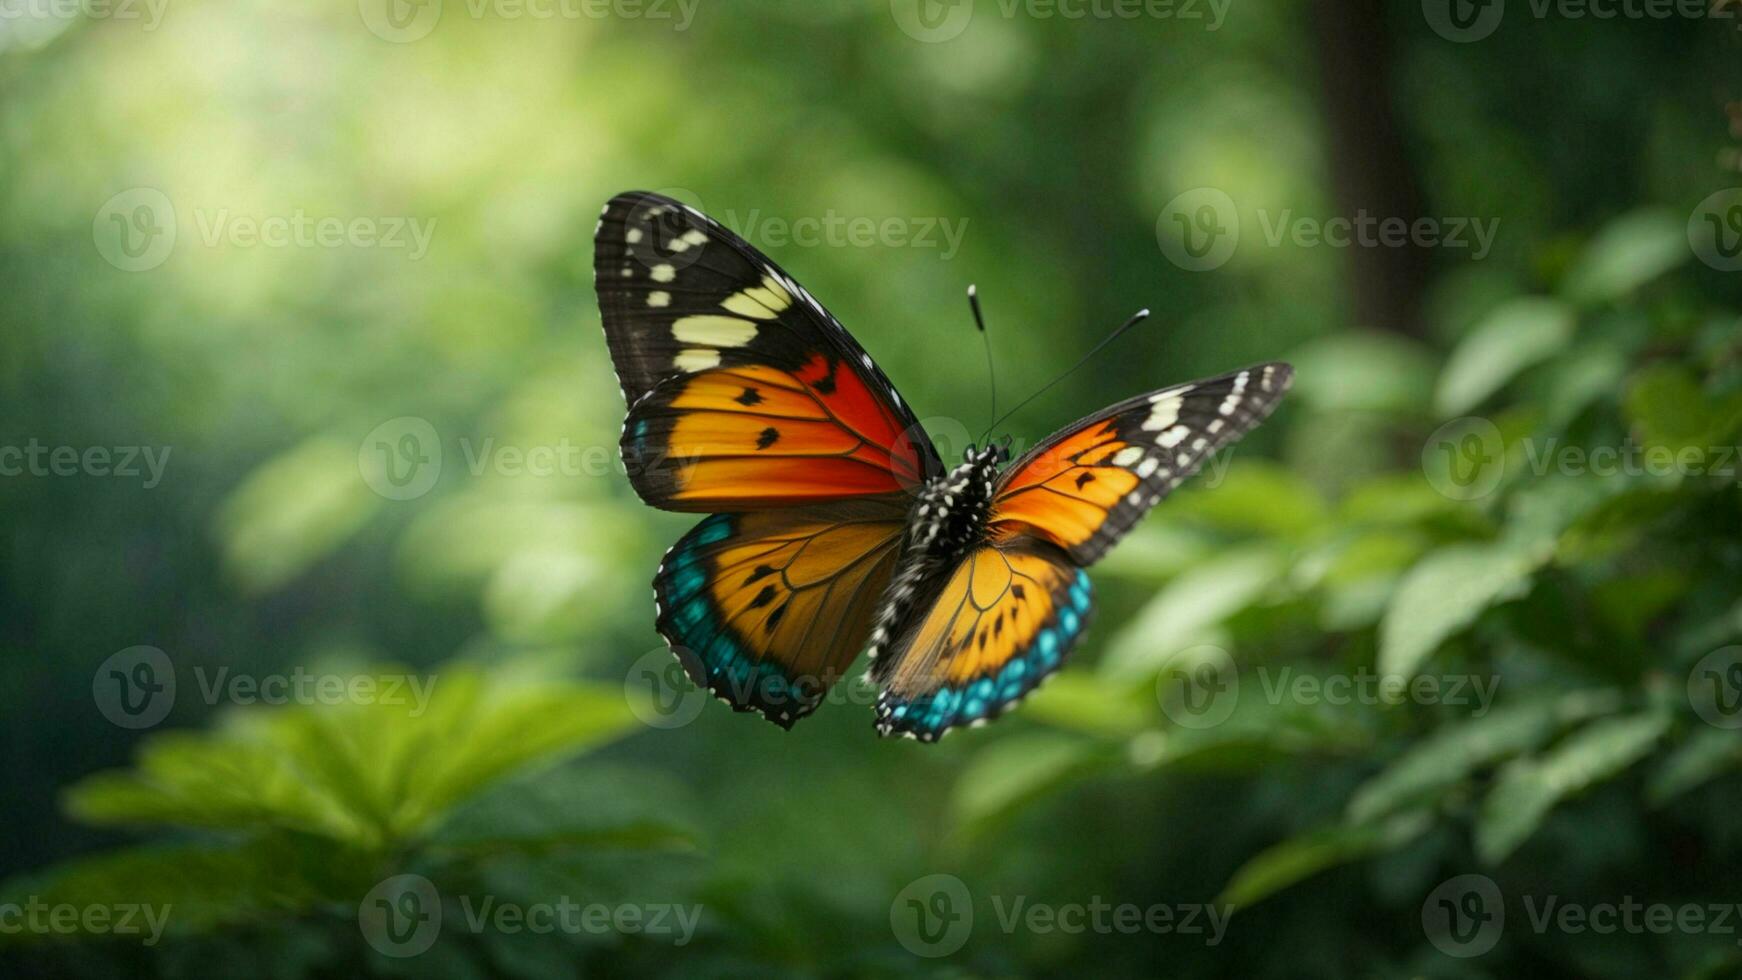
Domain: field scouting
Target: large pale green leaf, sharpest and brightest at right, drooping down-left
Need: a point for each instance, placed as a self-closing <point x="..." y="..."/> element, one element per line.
<point x="1445" y="593"/>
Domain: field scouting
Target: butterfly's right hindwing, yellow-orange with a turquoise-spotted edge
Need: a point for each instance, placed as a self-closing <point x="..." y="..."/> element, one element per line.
<point x="997" y="628"/>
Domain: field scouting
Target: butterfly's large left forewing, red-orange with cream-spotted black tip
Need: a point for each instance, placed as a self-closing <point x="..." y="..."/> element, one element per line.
<point x="743" y="391"/>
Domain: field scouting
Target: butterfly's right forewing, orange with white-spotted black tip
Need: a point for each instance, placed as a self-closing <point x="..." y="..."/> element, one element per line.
<point x="1084" y="488"/>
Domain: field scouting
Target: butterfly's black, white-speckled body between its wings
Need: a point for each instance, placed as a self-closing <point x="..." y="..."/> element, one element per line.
<point x="947" y="521"/>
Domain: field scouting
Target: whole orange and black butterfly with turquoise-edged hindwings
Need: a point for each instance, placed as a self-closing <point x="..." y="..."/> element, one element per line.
<point x="834" y="527"/>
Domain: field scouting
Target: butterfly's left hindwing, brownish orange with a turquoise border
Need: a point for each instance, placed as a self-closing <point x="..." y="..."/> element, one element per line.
<point x="771" y="608"/>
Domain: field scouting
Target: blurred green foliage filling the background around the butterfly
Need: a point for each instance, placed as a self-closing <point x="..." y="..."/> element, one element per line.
<point x="1358" y="535"/>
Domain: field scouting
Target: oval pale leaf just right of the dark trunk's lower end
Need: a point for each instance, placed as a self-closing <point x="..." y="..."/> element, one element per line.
<point x="1511" y="339"/>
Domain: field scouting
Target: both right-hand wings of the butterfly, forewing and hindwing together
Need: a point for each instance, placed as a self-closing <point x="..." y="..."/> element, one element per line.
<point x="1009" y="614"/>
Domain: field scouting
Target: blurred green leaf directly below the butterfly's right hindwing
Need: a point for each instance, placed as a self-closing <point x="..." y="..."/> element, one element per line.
<point x="1016" y="770"/>
